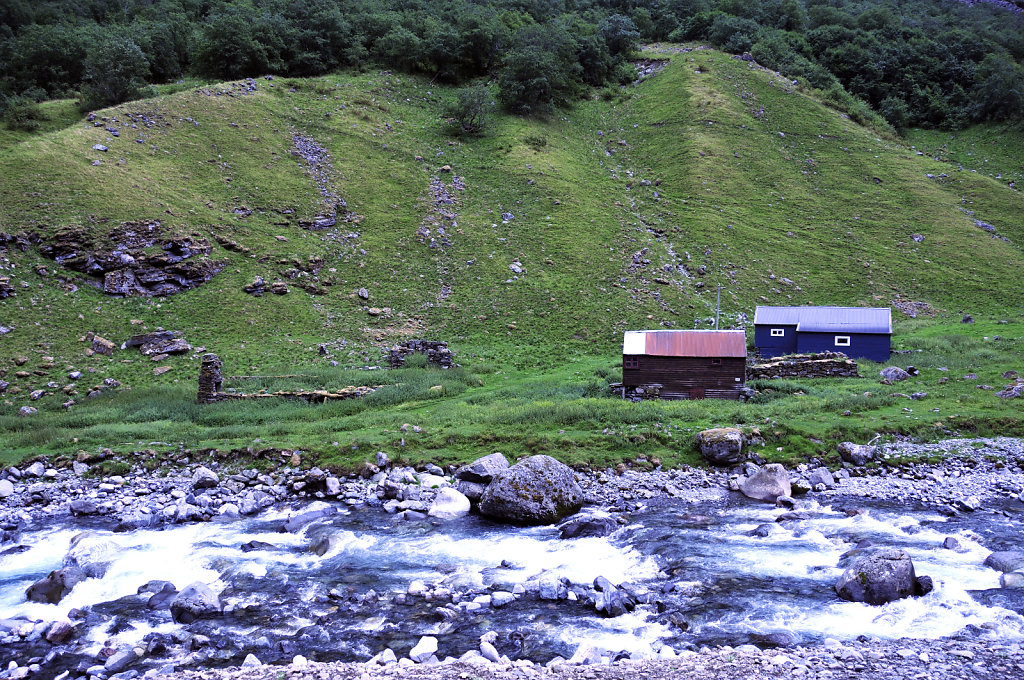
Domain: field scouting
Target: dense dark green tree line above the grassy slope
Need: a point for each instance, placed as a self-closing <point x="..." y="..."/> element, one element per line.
<point x="918" y="63"/>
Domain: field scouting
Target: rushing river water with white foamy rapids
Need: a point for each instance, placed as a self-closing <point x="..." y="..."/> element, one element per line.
<point x="706" y="574"/>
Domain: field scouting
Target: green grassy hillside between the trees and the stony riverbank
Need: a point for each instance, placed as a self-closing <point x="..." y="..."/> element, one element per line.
<point x="629" y="211"/>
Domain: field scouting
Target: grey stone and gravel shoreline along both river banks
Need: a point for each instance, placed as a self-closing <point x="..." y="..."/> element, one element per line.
<point x="972" y="476"/>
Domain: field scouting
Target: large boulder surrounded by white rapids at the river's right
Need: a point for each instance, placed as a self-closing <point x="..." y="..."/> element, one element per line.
<point x="884" y="576"/>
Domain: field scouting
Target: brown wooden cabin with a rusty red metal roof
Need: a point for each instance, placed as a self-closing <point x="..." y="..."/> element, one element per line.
<point x="688" y="365"/>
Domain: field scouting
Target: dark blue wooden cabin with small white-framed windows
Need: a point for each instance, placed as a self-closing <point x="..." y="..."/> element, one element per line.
<point x="858" y="332"/>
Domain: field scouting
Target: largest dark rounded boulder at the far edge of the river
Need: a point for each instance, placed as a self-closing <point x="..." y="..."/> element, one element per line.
<point x="538" y="490"/>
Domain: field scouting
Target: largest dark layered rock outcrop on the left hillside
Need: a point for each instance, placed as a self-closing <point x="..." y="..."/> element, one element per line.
<point x="135" y="260"/>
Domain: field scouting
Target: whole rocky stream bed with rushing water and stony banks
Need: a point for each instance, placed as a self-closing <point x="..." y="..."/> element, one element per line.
<point x="298" y="574"/>
